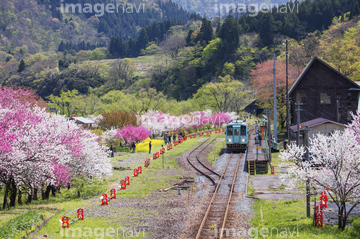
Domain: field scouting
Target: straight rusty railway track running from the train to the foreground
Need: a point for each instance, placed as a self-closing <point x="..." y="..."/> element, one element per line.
<point x="216" y="217"/>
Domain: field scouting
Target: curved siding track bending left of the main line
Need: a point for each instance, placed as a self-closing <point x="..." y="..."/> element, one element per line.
<point x="194" y="160"/>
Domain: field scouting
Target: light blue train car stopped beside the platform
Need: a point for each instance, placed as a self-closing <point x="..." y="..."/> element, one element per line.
<point x="237" y="136"/>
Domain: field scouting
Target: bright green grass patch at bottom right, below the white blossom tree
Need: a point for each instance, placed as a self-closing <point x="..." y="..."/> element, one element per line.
<point x="287" y="219"/>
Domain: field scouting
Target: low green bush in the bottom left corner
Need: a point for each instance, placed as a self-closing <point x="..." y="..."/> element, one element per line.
<point x="21" y="223"/>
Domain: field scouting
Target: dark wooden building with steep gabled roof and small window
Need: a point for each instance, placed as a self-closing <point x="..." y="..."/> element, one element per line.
<point x="324" y="93"/>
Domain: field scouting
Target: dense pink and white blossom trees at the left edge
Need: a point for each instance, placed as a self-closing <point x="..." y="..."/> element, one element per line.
<point x="39" y="149"/>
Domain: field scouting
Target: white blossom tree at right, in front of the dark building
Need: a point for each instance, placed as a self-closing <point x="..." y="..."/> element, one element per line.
<point x="334" y="165"/>
